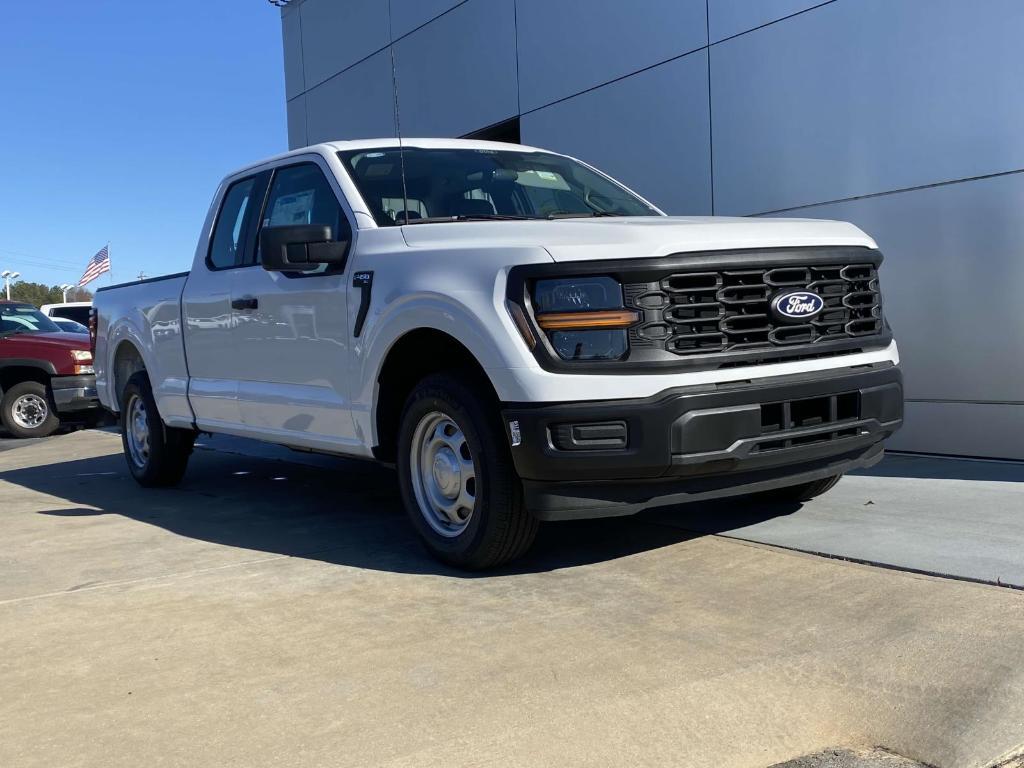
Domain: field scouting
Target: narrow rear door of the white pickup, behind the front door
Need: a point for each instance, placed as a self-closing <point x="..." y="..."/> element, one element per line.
<point x="206" y="306"/>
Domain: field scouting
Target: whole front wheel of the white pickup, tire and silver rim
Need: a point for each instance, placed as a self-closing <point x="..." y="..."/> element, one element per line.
<point x="458" y="483"/>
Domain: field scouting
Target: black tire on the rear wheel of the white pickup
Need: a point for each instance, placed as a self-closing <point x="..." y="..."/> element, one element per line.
<point x="168" y="449"/>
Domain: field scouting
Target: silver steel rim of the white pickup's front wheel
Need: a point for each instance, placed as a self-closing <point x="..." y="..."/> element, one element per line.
<point x="444" y="475"/>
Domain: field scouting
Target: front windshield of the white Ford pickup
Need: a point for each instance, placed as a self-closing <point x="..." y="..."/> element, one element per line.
<point x="445" y="185"/>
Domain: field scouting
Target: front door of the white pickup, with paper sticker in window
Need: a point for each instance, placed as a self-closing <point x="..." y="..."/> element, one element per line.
<point x="291" y="335"/>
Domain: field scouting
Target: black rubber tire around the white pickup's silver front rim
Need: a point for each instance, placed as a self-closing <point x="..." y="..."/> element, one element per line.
<point x="499" y="528"/>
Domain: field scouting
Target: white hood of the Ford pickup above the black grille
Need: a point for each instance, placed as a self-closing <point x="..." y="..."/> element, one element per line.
<point x="637" y="237"/>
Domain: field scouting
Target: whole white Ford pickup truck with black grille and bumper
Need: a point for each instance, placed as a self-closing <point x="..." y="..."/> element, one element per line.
<point x="523" y="336"/>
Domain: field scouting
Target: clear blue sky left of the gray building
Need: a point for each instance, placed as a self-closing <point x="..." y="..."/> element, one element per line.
<point x="118" y="118"/>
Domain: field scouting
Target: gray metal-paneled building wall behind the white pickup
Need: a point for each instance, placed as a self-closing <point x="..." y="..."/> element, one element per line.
<point x="903" y="116"/>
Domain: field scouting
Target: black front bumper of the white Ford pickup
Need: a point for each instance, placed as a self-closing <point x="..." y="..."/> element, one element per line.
<point x="618" y="457"/>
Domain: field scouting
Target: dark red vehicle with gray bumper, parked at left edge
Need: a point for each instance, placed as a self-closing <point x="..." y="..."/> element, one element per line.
<point x="47" y="375"/>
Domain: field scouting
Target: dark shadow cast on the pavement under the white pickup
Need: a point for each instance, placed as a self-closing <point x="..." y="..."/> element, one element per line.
<point x="337" y="511"/>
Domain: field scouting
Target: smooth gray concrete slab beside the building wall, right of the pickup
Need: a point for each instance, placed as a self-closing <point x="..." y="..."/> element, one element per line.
<point x="962" y="519"/>
